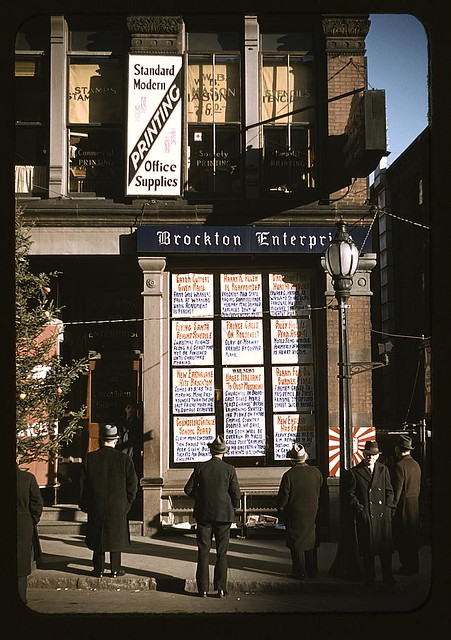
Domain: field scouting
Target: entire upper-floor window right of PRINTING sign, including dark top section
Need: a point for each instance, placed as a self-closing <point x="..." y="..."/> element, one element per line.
<point x="213" y="107"/>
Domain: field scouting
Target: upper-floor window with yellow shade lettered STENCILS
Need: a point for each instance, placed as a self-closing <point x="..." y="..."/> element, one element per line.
<point x="287" y="90"/>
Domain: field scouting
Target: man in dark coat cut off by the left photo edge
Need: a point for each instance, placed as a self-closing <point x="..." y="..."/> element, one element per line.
<point x="29" y="510"/>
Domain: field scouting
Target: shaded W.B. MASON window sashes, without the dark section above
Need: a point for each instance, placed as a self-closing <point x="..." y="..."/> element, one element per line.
<point x="213" y="112"/>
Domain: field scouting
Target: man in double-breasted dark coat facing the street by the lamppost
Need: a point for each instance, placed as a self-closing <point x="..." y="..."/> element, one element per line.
<point x="371" y="499"/>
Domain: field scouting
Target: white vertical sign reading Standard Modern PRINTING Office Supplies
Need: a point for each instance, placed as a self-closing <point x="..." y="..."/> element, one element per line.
<point x="154" y="132"/>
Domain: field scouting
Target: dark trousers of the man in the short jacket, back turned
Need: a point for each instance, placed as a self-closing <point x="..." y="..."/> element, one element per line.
<point x="205" y="532"/>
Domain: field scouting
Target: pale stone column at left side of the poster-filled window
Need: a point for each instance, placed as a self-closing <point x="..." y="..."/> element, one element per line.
<point x="154" y="391"/>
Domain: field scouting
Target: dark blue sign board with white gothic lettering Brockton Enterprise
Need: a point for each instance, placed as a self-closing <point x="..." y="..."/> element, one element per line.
<point x="200" y="239"/>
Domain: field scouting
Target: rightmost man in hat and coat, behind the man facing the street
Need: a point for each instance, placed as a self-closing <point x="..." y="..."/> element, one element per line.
<point x="406" y="480"/>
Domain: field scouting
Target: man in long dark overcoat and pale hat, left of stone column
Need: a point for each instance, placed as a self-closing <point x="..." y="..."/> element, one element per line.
<point x="108" y="486"/>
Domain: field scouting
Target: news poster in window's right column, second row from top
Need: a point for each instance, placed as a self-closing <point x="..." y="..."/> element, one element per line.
<point x="291" y="340"/>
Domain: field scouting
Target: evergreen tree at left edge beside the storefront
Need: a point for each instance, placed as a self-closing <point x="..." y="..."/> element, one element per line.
<point x="43" y="381"/>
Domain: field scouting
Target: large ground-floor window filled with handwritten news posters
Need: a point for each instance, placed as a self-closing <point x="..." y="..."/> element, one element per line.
<point x="239" y="372"/>
